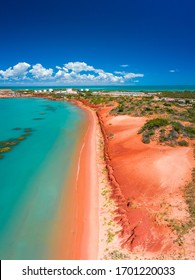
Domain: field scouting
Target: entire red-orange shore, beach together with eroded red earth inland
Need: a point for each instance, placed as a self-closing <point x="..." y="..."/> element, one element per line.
<point x="125" y="198"/>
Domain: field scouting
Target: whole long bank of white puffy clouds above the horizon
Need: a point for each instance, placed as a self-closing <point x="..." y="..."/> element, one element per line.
<point x="70" y="73"/>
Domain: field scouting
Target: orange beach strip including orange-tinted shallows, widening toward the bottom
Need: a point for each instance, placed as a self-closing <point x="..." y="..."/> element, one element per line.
<point x="76" y="233"/>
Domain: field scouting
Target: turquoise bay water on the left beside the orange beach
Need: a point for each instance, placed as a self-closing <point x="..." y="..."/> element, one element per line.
<point x="33" y="173"/>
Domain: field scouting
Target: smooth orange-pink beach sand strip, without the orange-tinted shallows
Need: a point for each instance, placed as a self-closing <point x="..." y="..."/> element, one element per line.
<point x="87" y="193"/>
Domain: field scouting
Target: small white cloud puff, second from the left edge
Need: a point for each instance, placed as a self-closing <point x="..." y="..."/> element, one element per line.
<point x="40" y="72"/>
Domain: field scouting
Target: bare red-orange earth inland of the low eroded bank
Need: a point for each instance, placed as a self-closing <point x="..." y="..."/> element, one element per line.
<point x="145" y="179"/>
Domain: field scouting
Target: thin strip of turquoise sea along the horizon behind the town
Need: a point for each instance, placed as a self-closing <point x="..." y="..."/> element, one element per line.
<point x="119" y="87"/>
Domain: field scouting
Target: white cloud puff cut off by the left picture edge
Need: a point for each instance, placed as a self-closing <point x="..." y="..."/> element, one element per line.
<point x="19" y="71"/>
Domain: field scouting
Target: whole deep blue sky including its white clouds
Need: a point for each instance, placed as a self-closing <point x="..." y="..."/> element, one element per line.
<point x="89" y="42"/>
